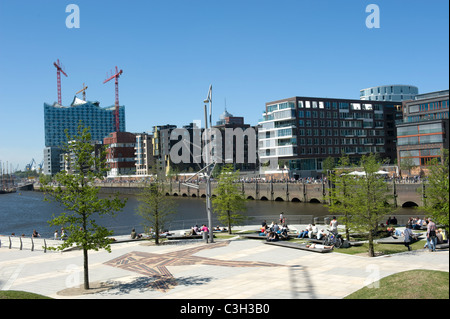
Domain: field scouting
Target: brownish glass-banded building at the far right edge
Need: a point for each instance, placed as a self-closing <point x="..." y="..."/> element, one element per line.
<point x="424" y="129"/>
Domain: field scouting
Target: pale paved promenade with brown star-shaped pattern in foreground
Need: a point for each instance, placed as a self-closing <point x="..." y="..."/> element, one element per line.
<point x="236" y="268"/>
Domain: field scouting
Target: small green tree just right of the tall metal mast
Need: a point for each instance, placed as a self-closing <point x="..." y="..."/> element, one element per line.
<point x="229" y="202"/>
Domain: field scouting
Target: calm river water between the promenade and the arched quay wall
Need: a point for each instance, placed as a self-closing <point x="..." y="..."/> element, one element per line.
<point x="24" y="211"/>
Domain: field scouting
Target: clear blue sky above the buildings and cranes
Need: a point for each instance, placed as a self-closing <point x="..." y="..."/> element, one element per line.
<point x="170" y="51"/>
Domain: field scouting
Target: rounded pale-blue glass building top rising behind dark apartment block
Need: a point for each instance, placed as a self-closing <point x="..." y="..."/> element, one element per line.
<point x="391" y="93"/>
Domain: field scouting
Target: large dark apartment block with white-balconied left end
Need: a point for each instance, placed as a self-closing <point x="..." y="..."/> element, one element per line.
<point x="305" y="130"/>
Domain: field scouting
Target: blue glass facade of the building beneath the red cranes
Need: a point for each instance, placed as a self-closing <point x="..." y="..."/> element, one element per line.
<point x="59" y="118"/>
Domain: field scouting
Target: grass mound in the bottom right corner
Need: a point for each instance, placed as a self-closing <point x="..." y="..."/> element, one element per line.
<point x="413" y="284"/>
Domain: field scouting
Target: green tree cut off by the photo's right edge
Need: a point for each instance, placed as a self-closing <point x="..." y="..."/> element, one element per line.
<point x="437" y="190"/>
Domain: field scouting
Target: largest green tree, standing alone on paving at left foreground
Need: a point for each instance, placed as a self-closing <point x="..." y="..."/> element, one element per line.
<point x="79" y="197"/>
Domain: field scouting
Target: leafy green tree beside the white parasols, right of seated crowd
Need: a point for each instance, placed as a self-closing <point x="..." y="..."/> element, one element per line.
<point x="369" y="198"/>
